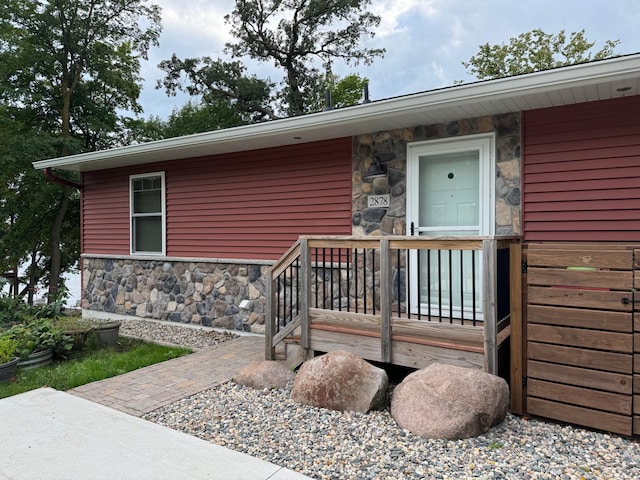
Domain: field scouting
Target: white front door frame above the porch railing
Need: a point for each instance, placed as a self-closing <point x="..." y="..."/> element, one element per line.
<point x="485" y="144"/>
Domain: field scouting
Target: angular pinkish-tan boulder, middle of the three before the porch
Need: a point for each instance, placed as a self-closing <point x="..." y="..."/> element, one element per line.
<point x="341" y="381"/>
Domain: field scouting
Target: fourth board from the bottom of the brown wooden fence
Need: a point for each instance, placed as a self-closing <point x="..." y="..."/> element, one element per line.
<point x="580" y="357"/>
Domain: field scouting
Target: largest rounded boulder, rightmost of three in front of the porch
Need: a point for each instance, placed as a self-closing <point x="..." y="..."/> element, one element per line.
<point x="449" y="402"/>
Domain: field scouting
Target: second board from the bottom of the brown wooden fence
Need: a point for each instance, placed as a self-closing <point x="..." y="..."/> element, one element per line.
<point x="584" y="397"/>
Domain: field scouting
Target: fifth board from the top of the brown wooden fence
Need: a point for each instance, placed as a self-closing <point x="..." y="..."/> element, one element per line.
<point x="581" y="337"/>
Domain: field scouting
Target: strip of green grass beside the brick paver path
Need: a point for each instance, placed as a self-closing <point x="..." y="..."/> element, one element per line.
<point x="92" y="365"/>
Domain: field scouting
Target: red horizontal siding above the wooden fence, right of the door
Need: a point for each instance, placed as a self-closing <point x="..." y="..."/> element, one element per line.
<point x="581" y="172"/>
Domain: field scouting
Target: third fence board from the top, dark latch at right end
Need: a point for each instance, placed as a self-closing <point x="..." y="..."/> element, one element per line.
<point x="568" y="297"/>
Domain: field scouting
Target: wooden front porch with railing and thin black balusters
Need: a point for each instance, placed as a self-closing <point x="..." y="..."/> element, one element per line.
<point x="404" y="300"/>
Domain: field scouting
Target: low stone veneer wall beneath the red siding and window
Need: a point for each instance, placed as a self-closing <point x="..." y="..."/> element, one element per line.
<point x="202" y="292"/>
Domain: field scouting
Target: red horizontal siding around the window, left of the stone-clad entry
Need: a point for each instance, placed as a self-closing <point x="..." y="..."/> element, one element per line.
<point x="250" y="205"/>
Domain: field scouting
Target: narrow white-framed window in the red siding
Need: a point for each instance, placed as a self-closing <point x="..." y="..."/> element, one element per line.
<point x="147" y="207"/>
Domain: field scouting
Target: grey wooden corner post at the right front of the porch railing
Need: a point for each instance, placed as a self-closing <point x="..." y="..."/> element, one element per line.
<point x="489" y="259"/>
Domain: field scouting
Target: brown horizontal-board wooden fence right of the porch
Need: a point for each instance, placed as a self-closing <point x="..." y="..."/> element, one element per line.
<point x="583" y="343"/>
